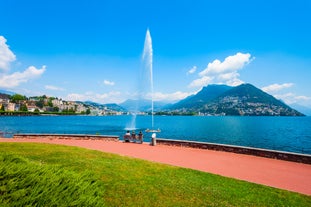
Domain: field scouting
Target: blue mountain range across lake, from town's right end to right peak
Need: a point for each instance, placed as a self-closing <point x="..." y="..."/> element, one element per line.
<point x="242" y="100"/>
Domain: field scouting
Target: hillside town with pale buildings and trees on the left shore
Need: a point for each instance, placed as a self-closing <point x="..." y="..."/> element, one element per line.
<point x="19" y="104"/>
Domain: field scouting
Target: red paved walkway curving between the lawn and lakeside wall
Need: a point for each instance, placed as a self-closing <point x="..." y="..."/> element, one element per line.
<point x="276" y="173"/>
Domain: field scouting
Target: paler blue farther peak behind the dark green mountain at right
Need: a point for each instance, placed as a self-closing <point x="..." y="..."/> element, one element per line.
<point x="198" y="100"/>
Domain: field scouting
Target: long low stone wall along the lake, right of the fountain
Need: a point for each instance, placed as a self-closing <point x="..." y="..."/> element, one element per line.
<point x="288" y="156"/>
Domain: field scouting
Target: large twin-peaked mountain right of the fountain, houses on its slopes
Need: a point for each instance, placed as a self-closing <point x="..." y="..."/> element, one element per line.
<point x="245" y="100"/>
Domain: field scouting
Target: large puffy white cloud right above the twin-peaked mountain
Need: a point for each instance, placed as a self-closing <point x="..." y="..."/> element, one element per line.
<point x="225" y="72"/>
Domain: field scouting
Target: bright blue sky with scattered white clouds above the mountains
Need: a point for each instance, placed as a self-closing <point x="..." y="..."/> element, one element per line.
<point x="92" y="50"/>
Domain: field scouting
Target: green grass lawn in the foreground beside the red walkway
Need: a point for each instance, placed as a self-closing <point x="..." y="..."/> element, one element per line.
<point x="55" y="175"/>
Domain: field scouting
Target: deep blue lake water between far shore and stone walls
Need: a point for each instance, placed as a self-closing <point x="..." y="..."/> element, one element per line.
<point x="292" y="134"/>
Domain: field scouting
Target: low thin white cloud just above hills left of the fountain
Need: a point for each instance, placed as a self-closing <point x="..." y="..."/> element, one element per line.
<point x="111" y="97"/>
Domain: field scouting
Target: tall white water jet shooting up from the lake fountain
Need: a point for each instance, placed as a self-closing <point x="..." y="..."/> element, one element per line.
<point x="147" y="60"/>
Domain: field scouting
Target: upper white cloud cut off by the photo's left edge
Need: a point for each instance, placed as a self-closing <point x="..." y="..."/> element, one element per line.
<point x="6" y="55"/>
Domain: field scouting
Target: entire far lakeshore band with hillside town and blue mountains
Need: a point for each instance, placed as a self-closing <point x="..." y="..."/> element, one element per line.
<point x="212" y="100"/>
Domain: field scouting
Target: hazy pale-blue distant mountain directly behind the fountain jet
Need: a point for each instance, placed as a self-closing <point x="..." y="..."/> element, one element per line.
<point x="142" y="105"/>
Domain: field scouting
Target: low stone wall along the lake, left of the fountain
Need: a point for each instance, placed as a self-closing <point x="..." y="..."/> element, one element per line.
<point x="67" y="136"/>
